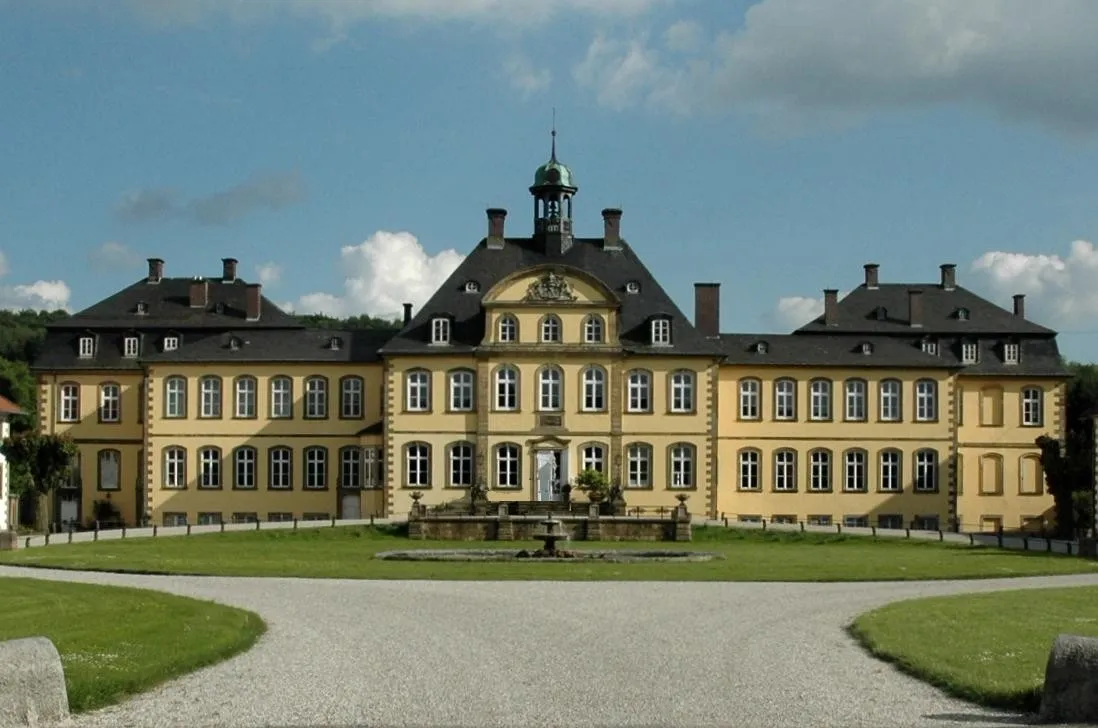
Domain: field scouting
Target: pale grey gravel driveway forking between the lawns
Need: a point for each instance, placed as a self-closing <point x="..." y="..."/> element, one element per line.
<point x="547" y="654"/>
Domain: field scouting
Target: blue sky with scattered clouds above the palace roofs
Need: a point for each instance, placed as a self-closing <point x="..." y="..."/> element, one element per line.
<point x="345" y="151"/>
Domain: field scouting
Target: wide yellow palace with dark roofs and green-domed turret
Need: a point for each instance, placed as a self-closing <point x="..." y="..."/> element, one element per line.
<point x="197" y="400"/>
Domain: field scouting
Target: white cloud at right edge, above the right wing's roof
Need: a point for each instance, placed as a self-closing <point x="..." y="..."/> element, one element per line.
<point x="1059" y="289"/>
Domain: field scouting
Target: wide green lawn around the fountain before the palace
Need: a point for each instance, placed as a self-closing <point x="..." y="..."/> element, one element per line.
<point x="750" y="556"/>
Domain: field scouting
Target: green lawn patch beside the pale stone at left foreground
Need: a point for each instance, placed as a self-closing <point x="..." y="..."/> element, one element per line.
<point x="116" y="642"/>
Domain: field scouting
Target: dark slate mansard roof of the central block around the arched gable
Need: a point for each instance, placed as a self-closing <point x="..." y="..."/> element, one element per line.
<point x="613" y="267"/>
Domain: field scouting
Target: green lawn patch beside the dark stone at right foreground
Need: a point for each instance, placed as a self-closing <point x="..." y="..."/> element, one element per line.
<point x="987" y="648"/>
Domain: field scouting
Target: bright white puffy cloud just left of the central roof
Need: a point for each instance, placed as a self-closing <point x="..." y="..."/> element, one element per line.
<point x="383" y="273"/>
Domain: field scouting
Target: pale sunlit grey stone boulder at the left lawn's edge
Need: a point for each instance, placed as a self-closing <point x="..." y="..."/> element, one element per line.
<point x="32" y="684"/>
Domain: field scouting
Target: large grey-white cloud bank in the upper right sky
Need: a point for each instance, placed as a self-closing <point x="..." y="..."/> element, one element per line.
<point x="804" y="62"/>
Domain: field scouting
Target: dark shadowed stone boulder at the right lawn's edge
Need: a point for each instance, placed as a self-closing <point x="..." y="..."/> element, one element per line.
<point x="1071" y="681"/>
